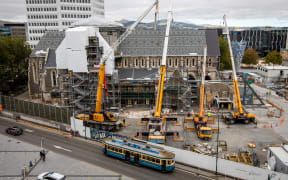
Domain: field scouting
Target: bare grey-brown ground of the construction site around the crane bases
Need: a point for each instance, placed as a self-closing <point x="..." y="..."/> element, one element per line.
<point x="237" y="136"/>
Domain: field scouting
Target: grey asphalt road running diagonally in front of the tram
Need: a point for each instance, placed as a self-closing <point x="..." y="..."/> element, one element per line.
<point x="90" y="153"/>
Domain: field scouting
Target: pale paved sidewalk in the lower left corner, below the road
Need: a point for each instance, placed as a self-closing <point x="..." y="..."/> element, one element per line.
<point x="13" y="161"/>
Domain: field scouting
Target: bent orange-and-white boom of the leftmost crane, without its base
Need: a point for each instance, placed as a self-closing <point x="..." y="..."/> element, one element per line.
<point x="104" y="58"/>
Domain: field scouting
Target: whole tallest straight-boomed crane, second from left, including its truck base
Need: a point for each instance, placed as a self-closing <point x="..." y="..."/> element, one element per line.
<point x="157" y="124"/>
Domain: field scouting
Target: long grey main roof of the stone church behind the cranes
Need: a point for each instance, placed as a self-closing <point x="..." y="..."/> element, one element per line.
<point x="187" y="42"/>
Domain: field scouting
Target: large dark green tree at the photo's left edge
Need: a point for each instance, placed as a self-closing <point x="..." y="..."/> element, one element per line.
<point x="14" y="55"/>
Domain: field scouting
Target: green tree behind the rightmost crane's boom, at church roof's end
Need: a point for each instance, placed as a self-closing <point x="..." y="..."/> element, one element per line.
<point x="225" y="61"/>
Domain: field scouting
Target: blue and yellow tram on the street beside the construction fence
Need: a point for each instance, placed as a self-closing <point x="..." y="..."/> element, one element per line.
<point x="139" y="153"/>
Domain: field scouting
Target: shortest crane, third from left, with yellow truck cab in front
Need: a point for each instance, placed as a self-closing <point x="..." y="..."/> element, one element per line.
<point x="200" y="122"/>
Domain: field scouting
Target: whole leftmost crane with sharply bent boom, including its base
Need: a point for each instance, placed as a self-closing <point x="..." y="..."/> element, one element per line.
<point x="99" y="118"/>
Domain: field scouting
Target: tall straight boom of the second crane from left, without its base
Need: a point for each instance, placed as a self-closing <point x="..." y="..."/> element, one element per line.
<point x="163" y="65"/>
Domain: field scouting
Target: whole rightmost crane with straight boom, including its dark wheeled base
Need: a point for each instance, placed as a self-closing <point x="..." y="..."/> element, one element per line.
<point x="240" y="114"/>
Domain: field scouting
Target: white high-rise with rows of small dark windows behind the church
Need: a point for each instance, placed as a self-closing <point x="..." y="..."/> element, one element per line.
<point x="55" y="15"/>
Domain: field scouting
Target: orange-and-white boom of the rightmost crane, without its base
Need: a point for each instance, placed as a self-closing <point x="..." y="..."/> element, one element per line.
<point x="237" y="99"/>
